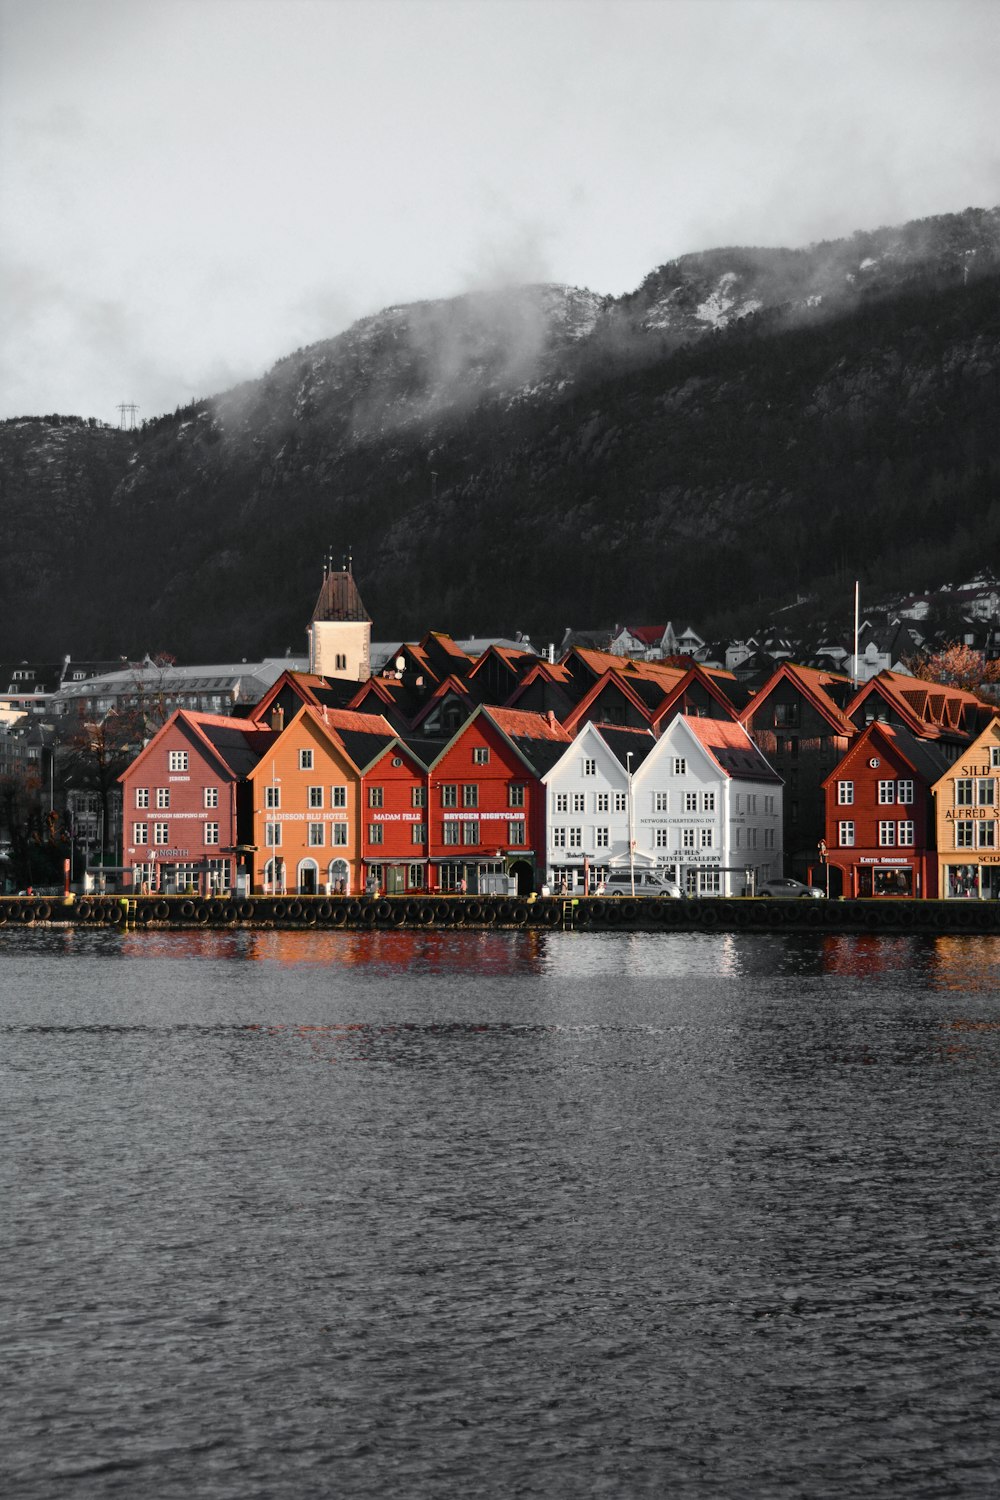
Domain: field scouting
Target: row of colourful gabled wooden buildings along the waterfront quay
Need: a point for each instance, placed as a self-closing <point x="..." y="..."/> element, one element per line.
<point x="451" y="772"/>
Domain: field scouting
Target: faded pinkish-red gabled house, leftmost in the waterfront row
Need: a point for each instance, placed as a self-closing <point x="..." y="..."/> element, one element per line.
<point x="187" y="811"/>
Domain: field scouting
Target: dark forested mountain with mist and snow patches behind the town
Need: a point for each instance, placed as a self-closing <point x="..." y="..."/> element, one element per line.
<point x="744" y="427"/>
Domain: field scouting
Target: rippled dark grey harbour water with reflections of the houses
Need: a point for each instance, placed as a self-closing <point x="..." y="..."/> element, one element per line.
<point x="482" y="1214"/>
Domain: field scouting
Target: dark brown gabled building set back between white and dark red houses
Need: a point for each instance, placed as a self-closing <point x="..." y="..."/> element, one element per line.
<point x="800" y="725"/>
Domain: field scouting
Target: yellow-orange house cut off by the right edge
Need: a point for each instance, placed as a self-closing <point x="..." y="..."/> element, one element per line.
<point x="966" y="814"/>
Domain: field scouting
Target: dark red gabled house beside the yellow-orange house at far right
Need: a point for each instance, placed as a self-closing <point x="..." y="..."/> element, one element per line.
<point x="881" y="838"/>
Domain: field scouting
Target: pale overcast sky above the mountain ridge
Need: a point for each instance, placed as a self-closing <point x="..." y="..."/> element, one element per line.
<point x="191" y="190"/>
